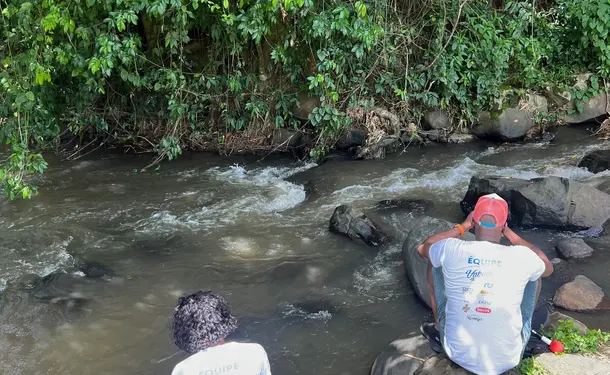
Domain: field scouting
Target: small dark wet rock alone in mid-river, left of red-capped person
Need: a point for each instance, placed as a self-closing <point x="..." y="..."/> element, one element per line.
<point x="355" y="225"/>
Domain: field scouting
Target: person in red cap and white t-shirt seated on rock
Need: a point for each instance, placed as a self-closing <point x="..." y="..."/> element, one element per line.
<point x="483" y="293"/>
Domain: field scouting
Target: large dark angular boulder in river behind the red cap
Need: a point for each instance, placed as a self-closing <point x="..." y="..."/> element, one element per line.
<point x="549" y="202"/>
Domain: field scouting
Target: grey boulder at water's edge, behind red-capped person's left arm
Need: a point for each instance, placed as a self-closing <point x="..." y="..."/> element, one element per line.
<point x="416" y="268"/>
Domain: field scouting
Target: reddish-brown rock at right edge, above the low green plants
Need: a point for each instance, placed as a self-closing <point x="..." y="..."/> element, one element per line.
<point x="581" y="294"/>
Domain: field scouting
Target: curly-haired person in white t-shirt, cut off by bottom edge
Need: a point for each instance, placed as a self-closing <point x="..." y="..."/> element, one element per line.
<point x="201" y="323"/>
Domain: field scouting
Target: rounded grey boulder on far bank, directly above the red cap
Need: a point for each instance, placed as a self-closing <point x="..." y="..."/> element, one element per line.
<point x="510" y="124"/>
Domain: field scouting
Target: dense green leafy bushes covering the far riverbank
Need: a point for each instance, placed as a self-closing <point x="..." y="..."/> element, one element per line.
<point x="165" y="75"/>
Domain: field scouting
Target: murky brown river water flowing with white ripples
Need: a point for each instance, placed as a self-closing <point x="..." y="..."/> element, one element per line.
<point x="256" y="232"/>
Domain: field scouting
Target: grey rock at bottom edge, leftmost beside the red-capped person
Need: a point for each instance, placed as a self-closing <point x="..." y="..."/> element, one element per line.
<point x="403" y="356"/>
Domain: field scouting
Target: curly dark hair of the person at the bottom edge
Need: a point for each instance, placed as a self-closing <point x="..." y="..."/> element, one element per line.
<point x="201" y="320"/>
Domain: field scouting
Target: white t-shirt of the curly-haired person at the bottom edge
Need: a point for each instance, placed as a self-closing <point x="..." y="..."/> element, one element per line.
<point x="232" y="358"/>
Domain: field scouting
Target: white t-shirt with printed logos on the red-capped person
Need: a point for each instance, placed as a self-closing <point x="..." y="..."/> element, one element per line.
<point x="484" y="284"/>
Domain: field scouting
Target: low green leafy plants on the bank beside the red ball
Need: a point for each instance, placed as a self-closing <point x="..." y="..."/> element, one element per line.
<point x="574" y="342"/>
